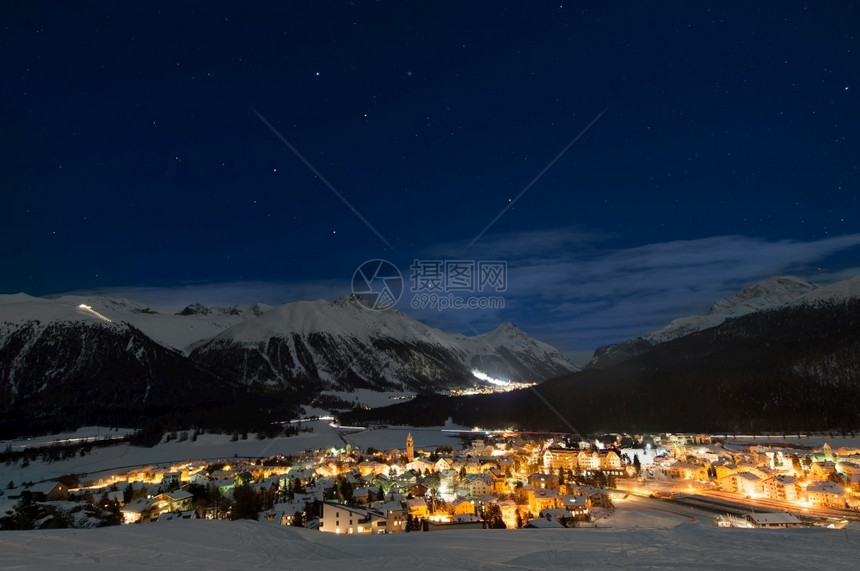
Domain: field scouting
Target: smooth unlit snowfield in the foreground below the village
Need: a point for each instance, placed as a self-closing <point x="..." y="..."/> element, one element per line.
<point x="245" y="544"/>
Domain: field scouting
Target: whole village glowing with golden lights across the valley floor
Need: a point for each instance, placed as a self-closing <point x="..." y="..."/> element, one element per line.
<point x="495" y="480"/>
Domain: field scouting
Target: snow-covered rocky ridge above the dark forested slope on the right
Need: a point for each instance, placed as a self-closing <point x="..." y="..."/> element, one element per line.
<point x="772" y="293"/>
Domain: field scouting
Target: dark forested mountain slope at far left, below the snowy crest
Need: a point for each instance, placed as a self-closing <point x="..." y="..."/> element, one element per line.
<point x="66" y="372"/>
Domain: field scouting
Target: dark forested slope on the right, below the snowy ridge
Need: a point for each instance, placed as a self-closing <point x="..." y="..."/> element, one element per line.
<point x="783" y="369"/>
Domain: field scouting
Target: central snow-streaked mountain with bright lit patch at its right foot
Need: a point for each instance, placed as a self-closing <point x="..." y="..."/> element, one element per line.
<point x="339" y="345"/>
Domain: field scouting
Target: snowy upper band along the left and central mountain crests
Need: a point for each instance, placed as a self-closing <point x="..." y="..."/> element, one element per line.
<point x="344" y="318"/>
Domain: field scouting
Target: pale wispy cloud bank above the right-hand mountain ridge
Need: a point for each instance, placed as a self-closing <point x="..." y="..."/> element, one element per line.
<point x="571" y="296"/>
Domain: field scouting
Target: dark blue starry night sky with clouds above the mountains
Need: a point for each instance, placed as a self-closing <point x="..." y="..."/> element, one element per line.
<point x="140" y="156"/>
